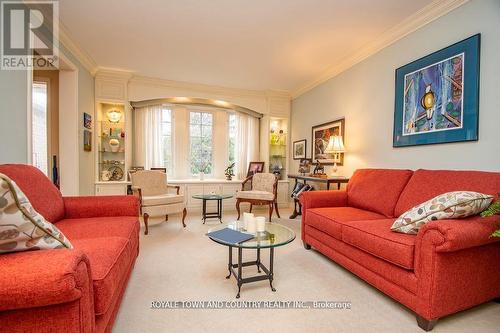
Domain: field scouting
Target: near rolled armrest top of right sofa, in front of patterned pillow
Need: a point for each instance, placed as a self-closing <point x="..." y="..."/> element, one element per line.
<point x="459" y="234"/>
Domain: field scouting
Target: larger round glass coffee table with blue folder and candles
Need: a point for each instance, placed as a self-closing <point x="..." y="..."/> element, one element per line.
<point x="275" y="235"/>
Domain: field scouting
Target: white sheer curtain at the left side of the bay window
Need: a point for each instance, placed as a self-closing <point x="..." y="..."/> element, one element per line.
<point x="148" y="150"/>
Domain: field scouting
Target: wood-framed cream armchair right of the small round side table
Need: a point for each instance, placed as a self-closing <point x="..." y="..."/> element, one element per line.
<point x="263" y="191"/>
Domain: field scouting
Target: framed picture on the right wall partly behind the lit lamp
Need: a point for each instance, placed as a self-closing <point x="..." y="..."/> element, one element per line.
<point x="321" y="137"/>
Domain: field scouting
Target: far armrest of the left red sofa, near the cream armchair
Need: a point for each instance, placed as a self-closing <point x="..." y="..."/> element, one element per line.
<point x="101" y="206"/>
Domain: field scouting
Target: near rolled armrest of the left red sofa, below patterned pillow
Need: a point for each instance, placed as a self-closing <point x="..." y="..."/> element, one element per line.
<point x="45" y="277"/>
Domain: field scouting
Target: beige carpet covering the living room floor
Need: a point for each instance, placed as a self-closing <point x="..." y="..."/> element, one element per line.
<point x="177" y="264"/>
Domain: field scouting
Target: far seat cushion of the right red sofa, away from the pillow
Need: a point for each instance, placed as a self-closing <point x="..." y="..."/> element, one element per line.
<point x="330" y="219"/>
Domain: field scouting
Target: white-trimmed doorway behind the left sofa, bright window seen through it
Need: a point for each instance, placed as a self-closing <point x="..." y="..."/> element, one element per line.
<point x="53" y="135"/>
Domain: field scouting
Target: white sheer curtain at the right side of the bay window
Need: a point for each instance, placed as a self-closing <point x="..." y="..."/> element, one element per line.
<point x="247" y="143"/>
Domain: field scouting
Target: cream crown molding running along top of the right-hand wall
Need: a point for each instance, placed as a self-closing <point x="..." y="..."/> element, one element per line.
<point x="414" y="22"/>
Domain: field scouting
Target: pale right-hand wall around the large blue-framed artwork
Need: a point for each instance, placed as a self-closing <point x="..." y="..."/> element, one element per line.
<point x="364" y="94"/>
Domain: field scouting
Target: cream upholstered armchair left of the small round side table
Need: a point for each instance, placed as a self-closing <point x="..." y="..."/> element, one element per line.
<point x="156" y="197"/>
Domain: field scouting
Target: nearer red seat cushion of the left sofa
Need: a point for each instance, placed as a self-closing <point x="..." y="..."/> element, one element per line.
<point x="110" y="260"/>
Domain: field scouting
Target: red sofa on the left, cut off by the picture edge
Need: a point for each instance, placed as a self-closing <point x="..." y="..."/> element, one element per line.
<point x="77" y="290"/>
